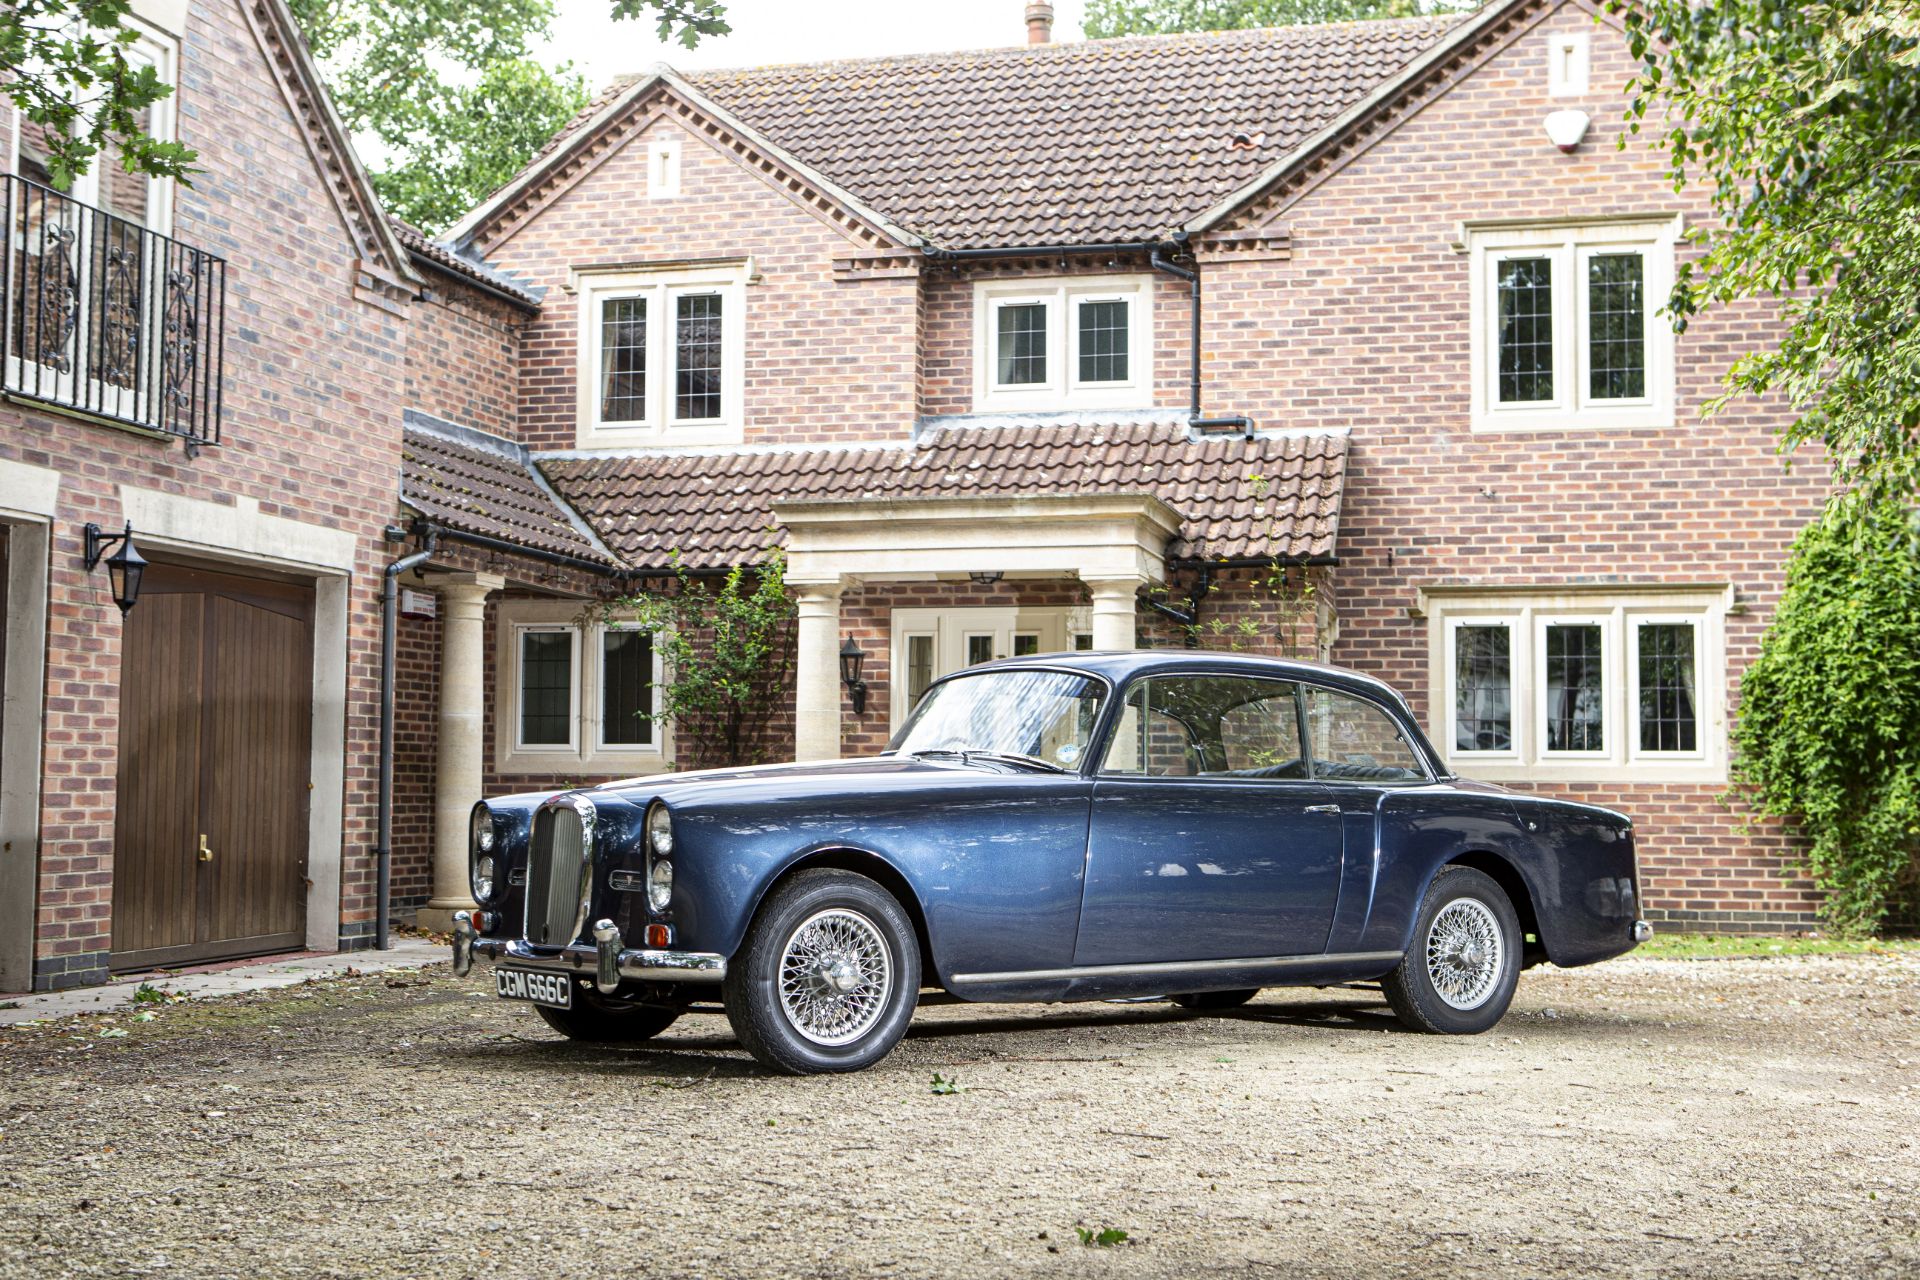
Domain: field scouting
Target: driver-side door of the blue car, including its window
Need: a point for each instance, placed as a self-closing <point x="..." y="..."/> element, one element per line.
<point x="1209" y="840"/>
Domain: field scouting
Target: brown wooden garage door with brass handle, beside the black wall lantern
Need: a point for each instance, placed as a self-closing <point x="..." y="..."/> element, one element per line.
<point x="210" y="841"/>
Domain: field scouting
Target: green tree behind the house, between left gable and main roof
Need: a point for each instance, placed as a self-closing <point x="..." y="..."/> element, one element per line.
<point x="446" y="97"/>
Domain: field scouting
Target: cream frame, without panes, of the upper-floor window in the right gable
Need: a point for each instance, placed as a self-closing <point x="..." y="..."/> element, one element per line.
<point x="1570" y="245"/>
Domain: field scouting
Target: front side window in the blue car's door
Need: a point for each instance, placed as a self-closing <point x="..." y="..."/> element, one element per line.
<point x="1209" y="726"/>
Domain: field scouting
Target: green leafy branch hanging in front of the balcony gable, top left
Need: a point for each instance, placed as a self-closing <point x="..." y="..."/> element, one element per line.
<point x="64" y="64"/>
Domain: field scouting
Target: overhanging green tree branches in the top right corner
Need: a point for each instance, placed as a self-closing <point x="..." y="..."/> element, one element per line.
<point x="1802" y="122"/>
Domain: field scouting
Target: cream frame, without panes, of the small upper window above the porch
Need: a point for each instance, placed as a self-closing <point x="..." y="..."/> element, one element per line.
<point x="1063" y="387"/>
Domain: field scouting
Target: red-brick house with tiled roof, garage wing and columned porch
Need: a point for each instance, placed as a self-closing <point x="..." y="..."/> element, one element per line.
<point x="932" y="325"/>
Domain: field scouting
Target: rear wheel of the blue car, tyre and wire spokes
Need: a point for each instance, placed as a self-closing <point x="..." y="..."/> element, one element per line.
<point x="1466" y="960"/>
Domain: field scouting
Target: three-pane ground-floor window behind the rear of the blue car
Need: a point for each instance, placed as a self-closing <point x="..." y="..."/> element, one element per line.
<point x="1581" y="686"/>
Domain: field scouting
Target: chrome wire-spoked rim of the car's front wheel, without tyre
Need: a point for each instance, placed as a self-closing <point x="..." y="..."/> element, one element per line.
<point x="836" y="976"/>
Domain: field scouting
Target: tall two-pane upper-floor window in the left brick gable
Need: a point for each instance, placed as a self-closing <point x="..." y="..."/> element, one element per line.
<point x="661" y="358"/>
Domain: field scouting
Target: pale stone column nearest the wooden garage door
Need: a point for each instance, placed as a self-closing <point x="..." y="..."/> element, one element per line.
<point x="460" y="736"/>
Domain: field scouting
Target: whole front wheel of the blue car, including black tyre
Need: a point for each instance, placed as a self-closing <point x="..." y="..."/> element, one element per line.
<point x="828" y="976"/>
